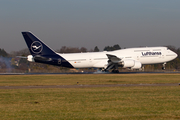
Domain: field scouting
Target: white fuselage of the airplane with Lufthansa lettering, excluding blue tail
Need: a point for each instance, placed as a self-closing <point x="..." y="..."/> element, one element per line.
<point x="145" y="55"/>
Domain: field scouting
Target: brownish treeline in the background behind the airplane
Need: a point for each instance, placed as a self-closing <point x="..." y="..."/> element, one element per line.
<point x="24" y="65"/>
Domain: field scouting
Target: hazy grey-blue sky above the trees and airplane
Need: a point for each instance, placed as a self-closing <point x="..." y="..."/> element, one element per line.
<point x="90" y="23"/>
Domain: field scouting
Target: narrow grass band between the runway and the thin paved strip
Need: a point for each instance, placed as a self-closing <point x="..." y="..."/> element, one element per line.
<point x="69" y="79"/>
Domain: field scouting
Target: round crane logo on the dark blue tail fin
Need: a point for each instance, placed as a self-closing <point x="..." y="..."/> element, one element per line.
<point x="36" y="47"/>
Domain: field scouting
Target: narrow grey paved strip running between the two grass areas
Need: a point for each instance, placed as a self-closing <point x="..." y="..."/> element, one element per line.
<point x="86" y="86"/>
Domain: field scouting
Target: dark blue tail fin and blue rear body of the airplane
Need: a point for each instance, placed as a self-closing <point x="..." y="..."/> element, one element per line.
<point x="42" y="53"/>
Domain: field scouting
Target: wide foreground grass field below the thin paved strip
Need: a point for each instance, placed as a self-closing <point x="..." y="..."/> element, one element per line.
<point x="91" y="103"/>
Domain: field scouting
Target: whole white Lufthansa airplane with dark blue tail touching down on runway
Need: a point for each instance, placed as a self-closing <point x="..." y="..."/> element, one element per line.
<point x="133" y="58"/>
